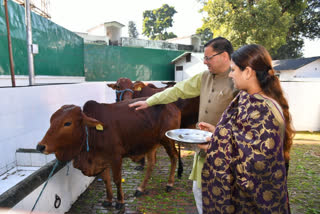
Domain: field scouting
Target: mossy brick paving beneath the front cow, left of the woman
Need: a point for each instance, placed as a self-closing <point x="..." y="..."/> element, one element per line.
<point x="157" y="200"/>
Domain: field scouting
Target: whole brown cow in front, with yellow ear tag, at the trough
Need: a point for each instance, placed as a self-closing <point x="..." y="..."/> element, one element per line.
<point x="126" y="133"/>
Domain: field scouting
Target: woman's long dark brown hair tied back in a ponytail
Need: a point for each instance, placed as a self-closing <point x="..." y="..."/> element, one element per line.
<point x="258" y="58"/>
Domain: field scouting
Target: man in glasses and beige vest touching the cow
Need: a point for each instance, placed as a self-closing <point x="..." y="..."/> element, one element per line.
<point x="216" y="92"/>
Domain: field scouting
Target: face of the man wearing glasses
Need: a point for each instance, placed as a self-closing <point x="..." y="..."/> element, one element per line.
<point x="215" y="61"/>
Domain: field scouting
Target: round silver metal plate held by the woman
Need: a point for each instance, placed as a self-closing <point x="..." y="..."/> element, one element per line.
<point x="188" y="135"/>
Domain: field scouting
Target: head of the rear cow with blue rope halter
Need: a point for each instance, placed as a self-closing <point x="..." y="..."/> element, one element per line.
<point x="123" y="88"/>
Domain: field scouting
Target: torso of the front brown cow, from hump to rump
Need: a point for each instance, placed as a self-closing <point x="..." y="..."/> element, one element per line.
<point x="133" y="130"/>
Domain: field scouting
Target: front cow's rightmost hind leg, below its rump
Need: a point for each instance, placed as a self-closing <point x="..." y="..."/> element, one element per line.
<point x="173" y="155"/>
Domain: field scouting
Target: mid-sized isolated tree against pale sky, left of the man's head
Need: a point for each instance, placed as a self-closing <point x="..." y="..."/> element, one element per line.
<point x="157" y="21"/>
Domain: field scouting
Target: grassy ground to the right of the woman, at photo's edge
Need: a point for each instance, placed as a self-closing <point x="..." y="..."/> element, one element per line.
<point x="304" y="174"/>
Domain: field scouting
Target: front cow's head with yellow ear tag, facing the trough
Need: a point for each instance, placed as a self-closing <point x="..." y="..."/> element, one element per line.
<point x="67" y="133"/>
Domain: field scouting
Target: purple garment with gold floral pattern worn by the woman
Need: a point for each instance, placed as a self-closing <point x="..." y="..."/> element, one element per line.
<point x="245" y="168"/>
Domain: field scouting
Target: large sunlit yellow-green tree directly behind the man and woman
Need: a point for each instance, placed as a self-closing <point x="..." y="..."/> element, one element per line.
<point x="265" y="22"/>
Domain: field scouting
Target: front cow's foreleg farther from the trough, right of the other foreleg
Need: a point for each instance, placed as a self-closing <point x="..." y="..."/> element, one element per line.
<point x="116" y="172"/>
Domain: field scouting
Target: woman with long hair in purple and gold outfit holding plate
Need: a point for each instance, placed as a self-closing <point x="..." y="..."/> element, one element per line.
<point x="245" y="168"/>
